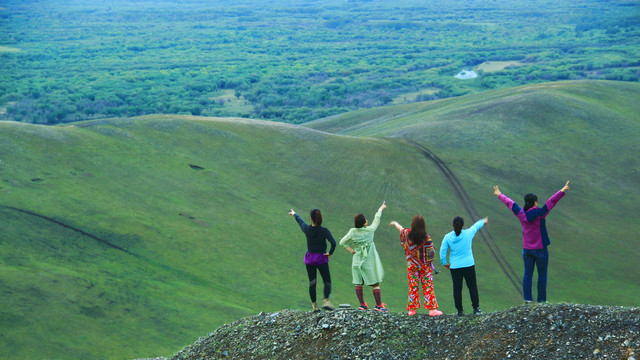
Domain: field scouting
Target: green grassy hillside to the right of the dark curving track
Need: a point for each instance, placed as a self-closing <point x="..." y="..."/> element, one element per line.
<point x="532" y="139"/>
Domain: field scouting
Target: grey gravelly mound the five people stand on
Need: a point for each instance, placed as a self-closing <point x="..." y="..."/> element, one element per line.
<point x="550" y="331"/>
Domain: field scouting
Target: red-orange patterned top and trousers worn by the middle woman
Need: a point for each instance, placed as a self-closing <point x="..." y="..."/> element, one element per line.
<point x="419" y="258"/>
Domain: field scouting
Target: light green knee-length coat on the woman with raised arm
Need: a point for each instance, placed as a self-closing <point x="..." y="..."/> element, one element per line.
<point x="365" y="266"/>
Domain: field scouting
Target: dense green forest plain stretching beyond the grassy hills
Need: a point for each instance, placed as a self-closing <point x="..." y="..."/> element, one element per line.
<point x="295" y="61"/>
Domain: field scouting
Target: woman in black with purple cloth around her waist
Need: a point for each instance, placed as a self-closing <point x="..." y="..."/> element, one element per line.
<point x="317" y="257"/>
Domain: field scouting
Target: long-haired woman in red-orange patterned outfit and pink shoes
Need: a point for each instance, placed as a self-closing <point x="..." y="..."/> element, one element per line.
<point x="419" y="252"/>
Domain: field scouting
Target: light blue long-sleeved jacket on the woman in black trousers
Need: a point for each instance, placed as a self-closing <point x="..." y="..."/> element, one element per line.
<point x="461" y="254"/>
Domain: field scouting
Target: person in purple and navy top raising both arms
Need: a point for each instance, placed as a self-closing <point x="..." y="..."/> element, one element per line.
<point x="535" y="239"/>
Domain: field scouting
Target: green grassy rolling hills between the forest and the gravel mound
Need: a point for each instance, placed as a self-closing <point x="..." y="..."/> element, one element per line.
<point x="126" y="238"/>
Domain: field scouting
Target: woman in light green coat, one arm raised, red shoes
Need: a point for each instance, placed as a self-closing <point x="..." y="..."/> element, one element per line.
<point x="366" y="267"/>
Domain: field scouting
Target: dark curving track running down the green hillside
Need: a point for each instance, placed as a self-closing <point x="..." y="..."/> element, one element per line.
<point x="473" y="213"/>
